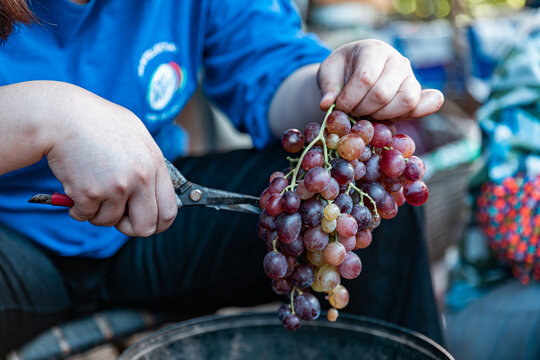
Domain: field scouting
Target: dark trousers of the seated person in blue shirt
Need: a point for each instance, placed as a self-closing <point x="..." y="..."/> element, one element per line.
<point x="207" y="259"/>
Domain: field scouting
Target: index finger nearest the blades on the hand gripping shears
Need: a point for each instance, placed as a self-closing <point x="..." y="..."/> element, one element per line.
<point x="166" y="200"/>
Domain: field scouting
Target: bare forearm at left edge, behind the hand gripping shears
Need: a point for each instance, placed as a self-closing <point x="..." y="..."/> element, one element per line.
<point x="23" y="136"/>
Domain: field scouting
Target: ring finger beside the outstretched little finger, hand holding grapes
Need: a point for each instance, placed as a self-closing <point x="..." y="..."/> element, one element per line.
<point x="405" y="101"/>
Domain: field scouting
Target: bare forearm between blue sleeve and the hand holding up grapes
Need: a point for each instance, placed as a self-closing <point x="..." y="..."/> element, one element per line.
<point x="296" y="102"/>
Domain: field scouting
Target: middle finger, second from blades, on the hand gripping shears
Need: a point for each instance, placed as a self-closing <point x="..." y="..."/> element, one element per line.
<point x="142" y="210"/>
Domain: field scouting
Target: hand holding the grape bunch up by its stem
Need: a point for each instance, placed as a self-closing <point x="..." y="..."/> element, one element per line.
<point x="369" y="77"/>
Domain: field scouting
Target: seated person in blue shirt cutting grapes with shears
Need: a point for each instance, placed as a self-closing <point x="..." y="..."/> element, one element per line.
<point x="88" y="95"/>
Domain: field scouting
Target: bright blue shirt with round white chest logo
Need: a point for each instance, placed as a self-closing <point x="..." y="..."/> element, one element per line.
<point x="146" y="56"/>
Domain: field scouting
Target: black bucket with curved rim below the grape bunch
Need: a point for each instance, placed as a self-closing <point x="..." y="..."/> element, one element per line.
<point x="261" y="336"/>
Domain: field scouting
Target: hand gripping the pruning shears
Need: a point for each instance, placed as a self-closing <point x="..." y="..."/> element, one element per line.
<point x="107" y="161"/>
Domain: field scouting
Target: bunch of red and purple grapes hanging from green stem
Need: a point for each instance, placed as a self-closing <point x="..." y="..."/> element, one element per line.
<point x="350" y="174"/>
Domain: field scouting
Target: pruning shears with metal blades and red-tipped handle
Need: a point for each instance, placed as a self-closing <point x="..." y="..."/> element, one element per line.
<point x="187" y="193"/>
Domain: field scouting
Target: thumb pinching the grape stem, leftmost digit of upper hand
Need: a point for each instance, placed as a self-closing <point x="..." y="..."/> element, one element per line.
<point x="330" y="78"/>
